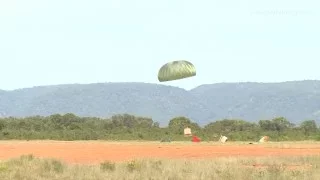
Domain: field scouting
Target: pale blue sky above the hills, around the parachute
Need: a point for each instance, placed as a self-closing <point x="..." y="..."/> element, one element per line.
<point x="47" y="42"/>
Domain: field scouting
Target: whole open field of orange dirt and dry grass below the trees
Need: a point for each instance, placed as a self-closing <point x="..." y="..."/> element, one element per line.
<point x="153" y="160"/>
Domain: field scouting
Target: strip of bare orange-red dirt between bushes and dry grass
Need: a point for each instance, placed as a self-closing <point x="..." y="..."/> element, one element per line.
<point x="89" y="152"/>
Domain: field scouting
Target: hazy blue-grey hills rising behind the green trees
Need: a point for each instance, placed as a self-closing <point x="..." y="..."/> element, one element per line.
<point x="296" y="100"/>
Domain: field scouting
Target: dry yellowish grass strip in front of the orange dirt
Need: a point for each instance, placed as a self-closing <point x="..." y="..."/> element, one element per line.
<point x="271" y="168"/>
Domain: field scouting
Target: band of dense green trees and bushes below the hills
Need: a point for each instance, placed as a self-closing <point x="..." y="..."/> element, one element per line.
<point x="128" y="127"/>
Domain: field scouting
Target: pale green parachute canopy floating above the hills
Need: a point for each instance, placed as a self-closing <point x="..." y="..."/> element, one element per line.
<point x="176" y="70"/>
